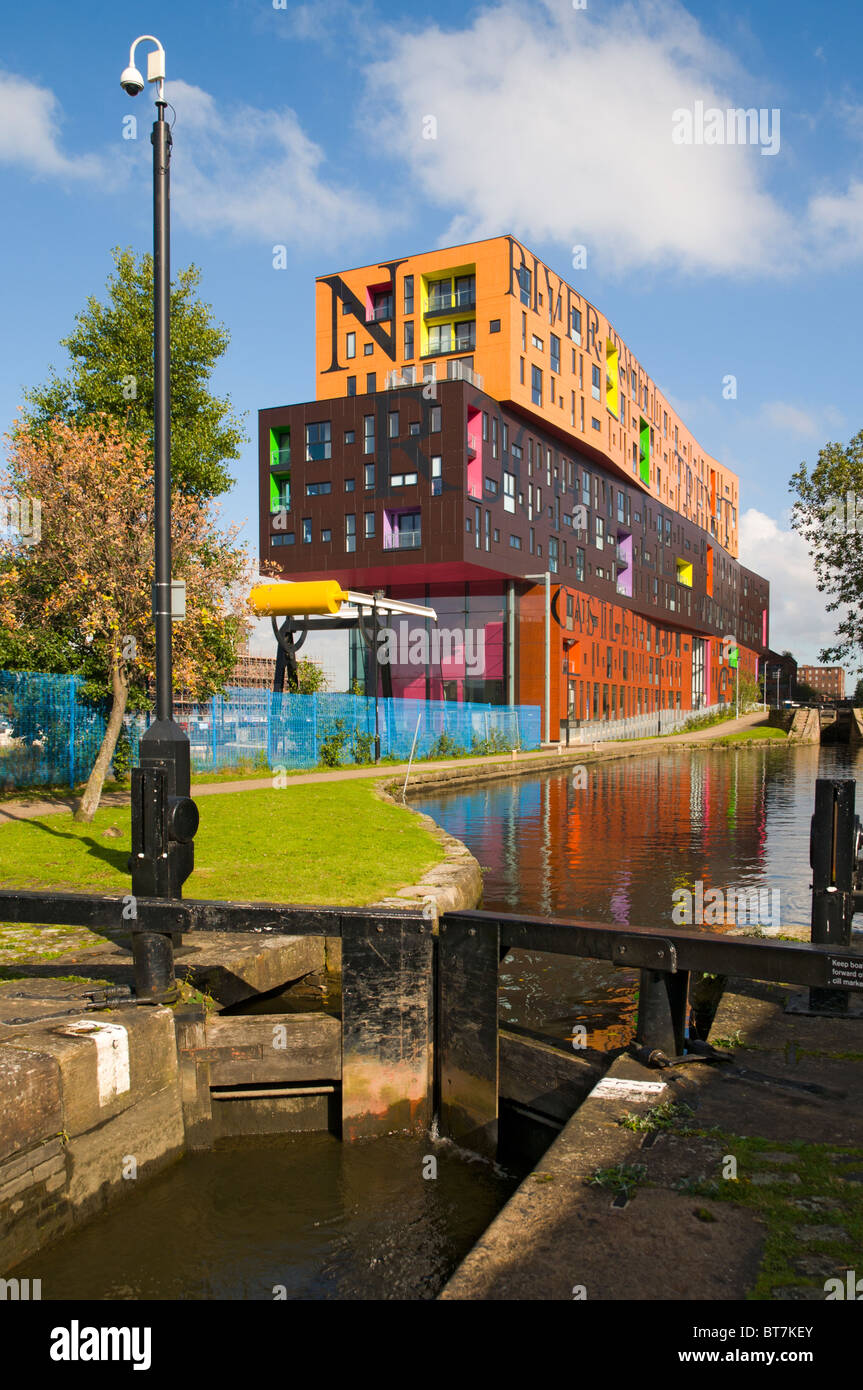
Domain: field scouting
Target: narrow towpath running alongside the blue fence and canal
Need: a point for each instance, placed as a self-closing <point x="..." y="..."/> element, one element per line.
<point x="24" y="810"/>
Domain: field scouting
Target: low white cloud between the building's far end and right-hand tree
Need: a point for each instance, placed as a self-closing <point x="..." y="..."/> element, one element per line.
<point x="798" y="616"/>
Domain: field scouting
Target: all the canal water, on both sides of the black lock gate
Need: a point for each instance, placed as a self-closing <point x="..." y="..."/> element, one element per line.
<point x="308" y="1218"/>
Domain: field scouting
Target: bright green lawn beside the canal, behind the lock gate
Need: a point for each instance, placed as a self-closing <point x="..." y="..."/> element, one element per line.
<point x="333" y="843"/>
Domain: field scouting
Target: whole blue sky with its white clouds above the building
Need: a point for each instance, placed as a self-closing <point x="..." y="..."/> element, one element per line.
<point x="302" y="126"/>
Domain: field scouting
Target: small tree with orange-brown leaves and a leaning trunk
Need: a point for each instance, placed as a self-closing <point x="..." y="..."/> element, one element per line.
<point x="92" y="572"/>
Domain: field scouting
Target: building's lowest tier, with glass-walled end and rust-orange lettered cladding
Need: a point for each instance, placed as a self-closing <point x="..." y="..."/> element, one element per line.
<point x="488" y="646"/>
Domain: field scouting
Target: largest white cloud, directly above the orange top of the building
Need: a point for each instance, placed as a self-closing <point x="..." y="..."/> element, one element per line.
<point x="558" y="124"/>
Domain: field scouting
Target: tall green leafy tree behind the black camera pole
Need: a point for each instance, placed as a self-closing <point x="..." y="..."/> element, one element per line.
<point x="112" y="375"/>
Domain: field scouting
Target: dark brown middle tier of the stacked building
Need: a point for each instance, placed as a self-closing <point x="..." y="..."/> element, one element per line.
<point x="622" y="548"/>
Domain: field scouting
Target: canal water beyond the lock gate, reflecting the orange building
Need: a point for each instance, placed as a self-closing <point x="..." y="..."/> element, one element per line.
<point x="612" y="842"/>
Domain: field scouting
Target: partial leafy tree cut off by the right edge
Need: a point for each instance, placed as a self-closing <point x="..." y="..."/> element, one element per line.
<point x="829" y="515"/>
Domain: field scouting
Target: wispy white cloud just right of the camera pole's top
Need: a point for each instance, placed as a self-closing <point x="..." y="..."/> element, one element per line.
<point x="258" y="174"/>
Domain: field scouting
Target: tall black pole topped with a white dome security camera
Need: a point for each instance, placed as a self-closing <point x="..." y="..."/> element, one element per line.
<point x="165" y="818"/>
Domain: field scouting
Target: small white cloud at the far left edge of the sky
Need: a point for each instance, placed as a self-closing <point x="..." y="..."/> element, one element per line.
<point x="30" y="133"/>
